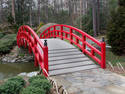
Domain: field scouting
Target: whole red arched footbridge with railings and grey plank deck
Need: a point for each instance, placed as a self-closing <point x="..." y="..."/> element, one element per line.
<point x="62" y="49"/>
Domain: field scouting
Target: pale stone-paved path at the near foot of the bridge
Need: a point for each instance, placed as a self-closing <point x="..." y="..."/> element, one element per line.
<point x="94" y="81"/>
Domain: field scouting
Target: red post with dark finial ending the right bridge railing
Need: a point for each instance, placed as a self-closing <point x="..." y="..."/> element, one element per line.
<point x="103" y="57"/>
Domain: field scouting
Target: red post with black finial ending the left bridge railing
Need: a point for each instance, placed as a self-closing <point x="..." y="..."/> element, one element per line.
<point x="46" y="58"/>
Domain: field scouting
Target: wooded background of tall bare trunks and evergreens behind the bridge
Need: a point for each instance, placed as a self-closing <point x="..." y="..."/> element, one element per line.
<point x="88" y="15"/>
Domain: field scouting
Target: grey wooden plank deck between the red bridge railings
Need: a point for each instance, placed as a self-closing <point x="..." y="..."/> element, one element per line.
<point x="65" y="58"/>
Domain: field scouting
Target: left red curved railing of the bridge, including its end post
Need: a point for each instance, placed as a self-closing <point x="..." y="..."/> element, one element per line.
<point x="28" y="38"/>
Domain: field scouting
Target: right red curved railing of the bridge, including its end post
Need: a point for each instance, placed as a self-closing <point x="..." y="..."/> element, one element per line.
<point x="79" y="38"/>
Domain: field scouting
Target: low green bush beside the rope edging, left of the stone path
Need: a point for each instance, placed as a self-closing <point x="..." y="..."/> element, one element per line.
<point x="38" y="85"/>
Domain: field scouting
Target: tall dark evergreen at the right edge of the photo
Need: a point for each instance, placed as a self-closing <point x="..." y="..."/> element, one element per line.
<point x="116" y="30"/>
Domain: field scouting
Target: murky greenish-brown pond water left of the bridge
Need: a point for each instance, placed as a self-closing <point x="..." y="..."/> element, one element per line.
<point x="12" y="69"/>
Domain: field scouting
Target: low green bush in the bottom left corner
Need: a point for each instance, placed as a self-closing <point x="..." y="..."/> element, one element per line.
<point x="12" y="86"/>
